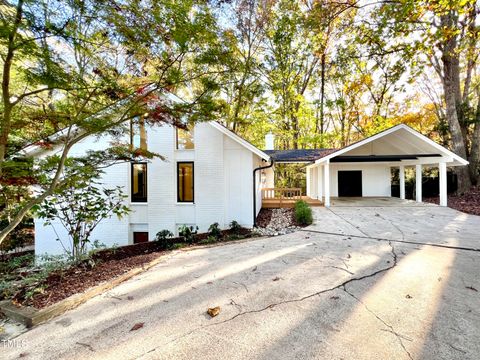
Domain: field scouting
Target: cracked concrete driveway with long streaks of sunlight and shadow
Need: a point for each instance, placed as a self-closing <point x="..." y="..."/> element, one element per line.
<point x="396" y="282"/>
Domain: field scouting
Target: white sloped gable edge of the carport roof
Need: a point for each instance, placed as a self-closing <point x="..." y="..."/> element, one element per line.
<point x="457" y="160"/>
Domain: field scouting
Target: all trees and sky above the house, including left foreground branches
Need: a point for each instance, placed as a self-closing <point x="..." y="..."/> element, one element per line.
<point x="317" y="73"/>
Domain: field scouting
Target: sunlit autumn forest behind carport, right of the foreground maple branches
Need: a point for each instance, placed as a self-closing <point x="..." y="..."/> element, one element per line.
<point x="328" y="73"/>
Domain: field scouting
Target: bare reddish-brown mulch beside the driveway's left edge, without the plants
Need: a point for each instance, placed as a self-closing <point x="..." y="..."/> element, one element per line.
<point x="104" y="265"/>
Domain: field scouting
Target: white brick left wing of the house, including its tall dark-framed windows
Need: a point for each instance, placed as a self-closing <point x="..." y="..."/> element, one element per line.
<point x="204" y="179"/>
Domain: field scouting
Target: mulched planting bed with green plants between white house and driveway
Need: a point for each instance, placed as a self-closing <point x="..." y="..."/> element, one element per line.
<point x="25" y="286"/>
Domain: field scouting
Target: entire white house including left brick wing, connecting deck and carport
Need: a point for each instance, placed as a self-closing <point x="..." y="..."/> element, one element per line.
<point x="212" y="175"/>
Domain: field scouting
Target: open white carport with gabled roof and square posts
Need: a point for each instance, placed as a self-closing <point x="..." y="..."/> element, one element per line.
<point x="363" y="169"/>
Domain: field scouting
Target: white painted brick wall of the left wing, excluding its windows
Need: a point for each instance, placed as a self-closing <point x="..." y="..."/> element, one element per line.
<point x="223" y="188"/>
